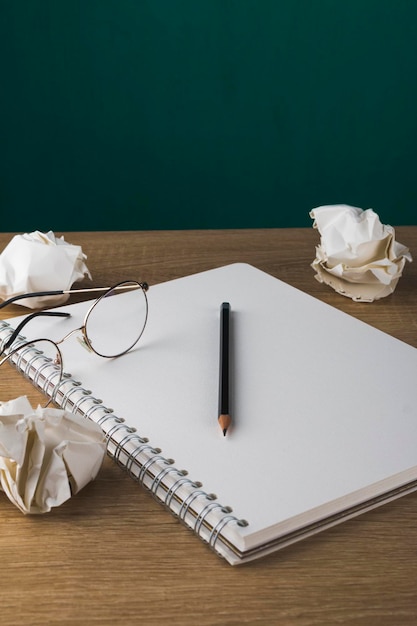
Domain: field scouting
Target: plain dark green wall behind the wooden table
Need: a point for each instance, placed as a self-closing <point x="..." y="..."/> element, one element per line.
<point x="149" y="114"/>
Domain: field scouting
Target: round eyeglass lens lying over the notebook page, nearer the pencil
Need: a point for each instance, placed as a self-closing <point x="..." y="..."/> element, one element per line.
<point x="115" y="324"/>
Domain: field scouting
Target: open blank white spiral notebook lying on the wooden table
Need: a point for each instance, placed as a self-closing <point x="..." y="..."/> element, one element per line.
<point x="324" y="409"/>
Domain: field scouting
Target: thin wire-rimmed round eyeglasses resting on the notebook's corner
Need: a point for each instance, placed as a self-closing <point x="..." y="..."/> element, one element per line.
<point x="111" y="327"/>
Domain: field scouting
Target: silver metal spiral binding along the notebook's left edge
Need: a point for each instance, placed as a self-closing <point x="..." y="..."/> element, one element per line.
<point x="77" y="396"/>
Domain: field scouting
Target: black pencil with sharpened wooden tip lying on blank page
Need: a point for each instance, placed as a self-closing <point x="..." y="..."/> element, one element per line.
<point x="224" y="368"/>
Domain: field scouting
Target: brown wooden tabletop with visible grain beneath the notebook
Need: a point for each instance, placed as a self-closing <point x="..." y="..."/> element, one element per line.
<point x="113" y="555"/>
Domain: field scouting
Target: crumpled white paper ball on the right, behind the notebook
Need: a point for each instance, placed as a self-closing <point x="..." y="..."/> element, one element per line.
<point x="358" y="256"/>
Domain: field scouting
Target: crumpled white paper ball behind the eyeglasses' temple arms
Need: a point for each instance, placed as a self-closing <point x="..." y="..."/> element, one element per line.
<point x="40" y="262"/>
